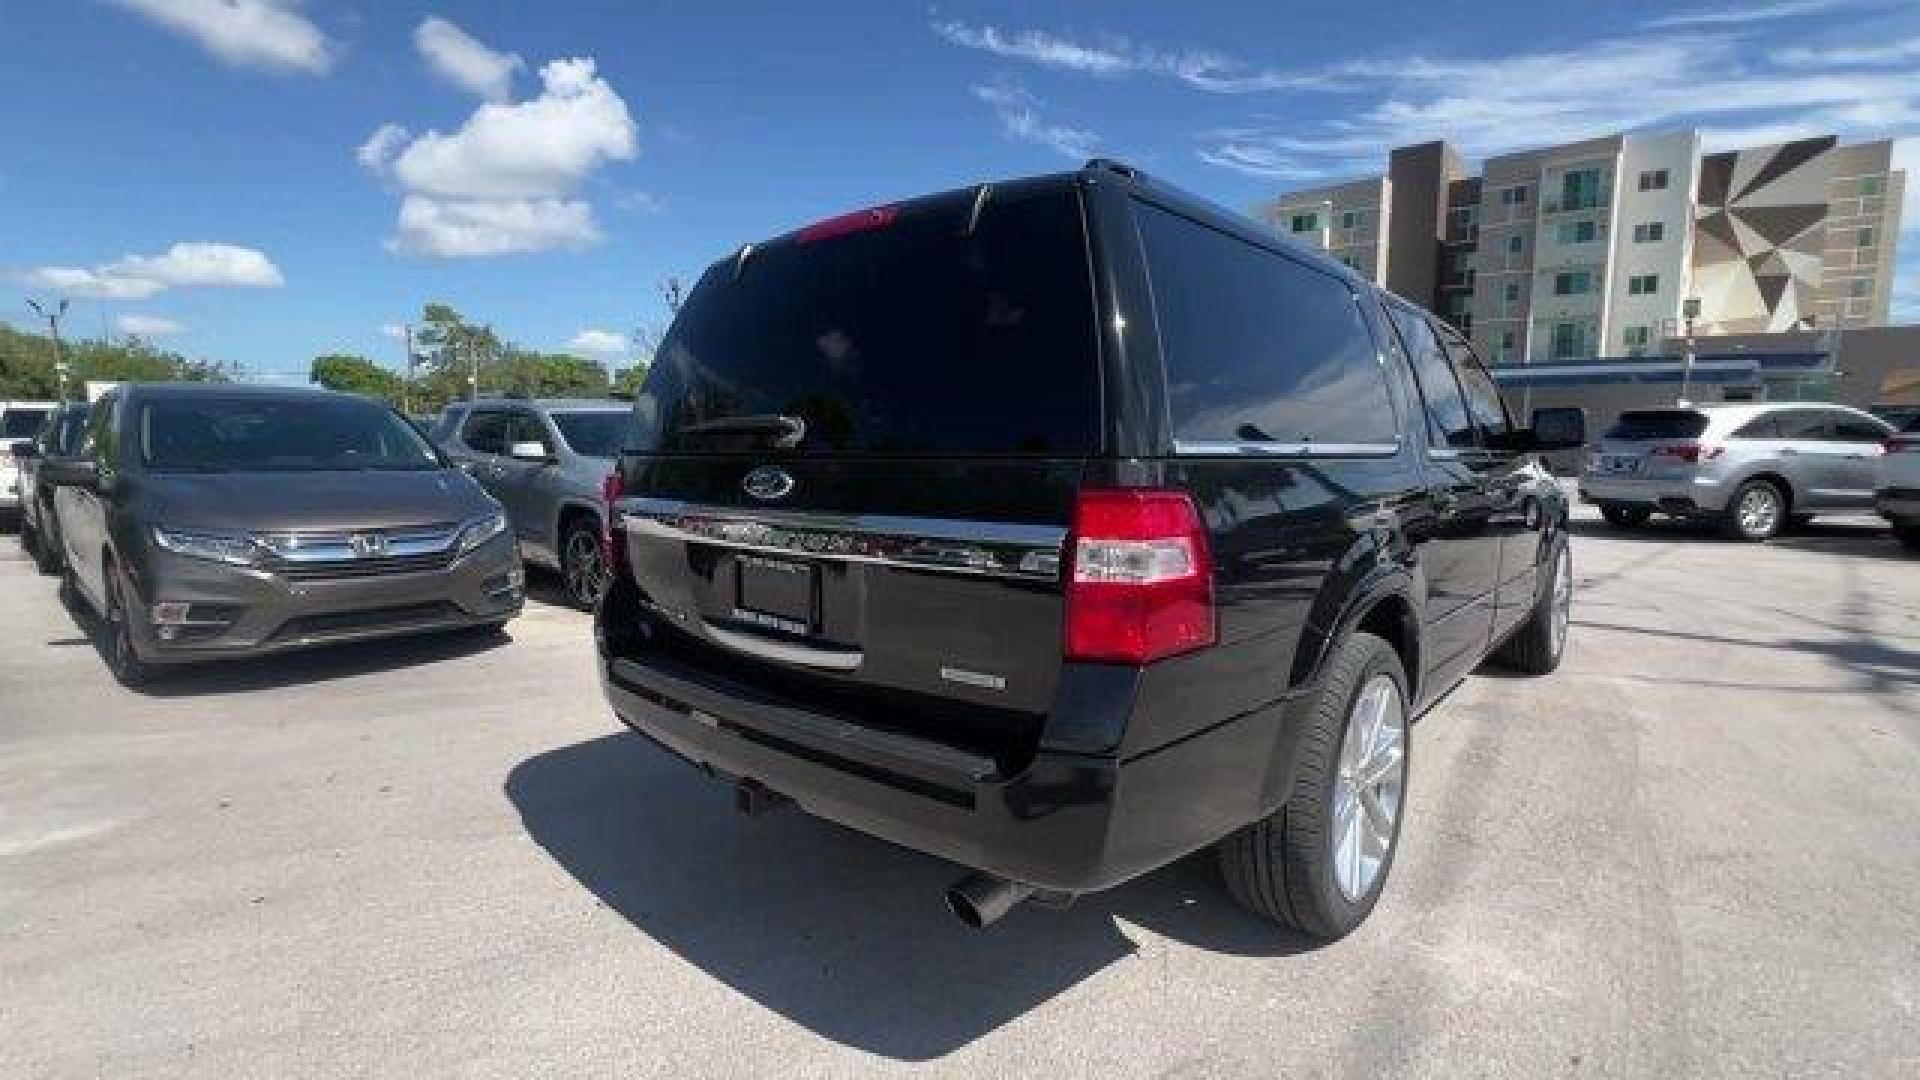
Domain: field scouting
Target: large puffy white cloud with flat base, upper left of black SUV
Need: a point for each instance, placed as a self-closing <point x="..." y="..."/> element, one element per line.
<point x="508" y="178"/>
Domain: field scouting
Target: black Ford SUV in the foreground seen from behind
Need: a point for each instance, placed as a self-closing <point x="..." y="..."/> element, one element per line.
<point x="1067" y="526"/>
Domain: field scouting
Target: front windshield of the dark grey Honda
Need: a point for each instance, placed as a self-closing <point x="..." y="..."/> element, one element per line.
<point x="277" y="435"/>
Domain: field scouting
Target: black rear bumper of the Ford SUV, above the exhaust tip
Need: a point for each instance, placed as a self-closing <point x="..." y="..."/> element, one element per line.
<point x="1068" y="822"/>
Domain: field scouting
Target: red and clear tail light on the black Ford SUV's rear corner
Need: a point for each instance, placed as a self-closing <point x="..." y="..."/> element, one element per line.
<point x="1141" y="577"/>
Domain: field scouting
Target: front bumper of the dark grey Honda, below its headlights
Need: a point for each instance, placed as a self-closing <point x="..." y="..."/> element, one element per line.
<point x="243" y="612"/>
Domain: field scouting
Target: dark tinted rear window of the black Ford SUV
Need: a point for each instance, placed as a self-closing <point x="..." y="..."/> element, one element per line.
<point x="911" y="337"/>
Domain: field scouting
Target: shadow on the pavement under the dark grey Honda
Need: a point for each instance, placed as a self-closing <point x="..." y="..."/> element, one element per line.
<point x="241" y="675"/>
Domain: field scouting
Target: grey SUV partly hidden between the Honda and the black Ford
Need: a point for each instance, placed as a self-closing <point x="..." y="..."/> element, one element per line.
<point x="546" y="462"/>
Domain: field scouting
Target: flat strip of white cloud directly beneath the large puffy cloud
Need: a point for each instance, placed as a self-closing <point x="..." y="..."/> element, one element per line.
<point x="471" y="228"/>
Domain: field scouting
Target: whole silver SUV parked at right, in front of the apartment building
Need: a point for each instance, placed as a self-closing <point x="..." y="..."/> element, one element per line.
<point x="1754" y="468"/>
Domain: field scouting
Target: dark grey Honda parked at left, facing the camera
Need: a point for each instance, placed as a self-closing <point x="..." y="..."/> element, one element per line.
<point x="212" y="522"/>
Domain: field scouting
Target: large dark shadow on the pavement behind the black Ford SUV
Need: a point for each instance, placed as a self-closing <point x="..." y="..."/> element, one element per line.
<point x="832" y="929"/>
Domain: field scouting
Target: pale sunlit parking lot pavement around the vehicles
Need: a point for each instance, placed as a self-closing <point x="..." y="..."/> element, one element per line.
<point x="1689" y="854"/>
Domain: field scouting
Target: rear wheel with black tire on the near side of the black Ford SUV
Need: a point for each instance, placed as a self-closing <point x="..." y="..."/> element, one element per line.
<point x="1297" y="866"/>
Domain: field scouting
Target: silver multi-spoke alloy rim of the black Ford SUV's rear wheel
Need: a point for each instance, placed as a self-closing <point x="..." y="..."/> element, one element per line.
<point x="1370" y="785"/>
